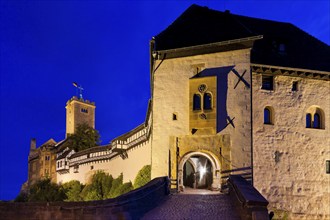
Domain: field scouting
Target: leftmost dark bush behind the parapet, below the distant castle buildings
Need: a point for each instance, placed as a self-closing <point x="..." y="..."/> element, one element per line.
<point x="45" y="191"/>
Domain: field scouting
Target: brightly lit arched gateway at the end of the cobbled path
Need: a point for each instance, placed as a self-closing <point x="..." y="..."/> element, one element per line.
<point x="199" y="170"/>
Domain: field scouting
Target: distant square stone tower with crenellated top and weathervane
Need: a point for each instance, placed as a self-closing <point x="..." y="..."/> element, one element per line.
<point x="79" y="111"/>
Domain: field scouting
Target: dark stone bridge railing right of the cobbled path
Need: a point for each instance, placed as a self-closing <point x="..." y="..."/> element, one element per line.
<point x="250" y="204"/>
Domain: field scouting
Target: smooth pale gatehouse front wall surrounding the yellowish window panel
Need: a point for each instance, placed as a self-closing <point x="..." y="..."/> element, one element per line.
<point x="171" y="95"/>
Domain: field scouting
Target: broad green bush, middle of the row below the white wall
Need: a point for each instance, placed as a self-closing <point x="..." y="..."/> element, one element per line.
<point x="99" y="187"/>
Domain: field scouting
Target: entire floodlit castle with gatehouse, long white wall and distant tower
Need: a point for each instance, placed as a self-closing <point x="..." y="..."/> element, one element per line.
<point x="230" y="95"/>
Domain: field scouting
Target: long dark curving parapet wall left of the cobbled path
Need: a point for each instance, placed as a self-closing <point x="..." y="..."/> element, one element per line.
<point x="132" y="205"/>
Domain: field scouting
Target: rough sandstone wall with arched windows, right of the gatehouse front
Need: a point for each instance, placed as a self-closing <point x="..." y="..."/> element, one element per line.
<point x="289" y="159"/>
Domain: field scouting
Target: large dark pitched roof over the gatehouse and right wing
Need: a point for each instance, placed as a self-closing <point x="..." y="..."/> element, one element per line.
<point x="201" y="25"/>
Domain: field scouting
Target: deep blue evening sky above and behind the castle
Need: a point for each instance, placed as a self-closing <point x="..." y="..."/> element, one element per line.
<point x="103" y="45"/>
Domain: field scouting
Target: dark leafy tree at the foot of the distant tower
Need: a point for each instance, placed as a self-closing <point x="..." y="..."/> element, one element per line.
<point x="84" y="137"/>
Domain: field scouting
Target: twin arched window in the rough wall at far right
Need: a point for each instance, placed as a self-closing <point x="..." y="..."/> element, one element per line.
<point x="315" y="118"/>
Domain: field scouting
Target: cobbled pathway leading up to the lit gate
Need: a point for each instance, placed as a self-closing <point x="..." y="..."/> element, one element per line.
<point x="194" y="205"/>
